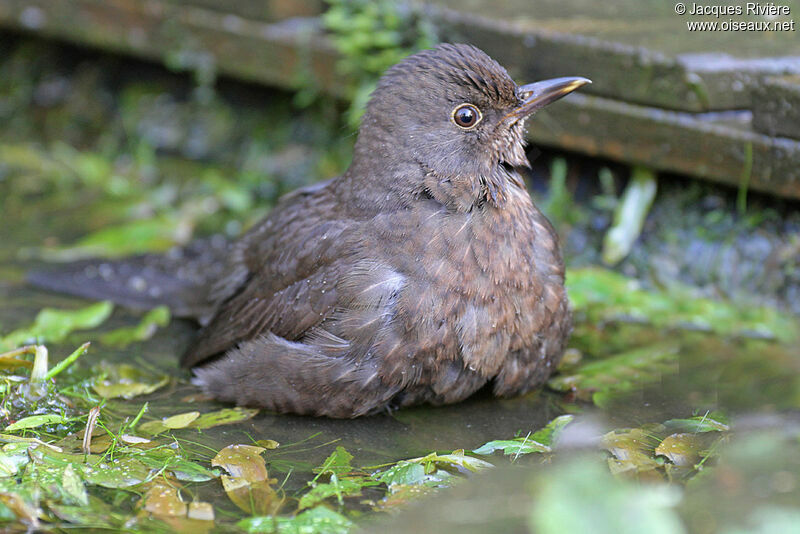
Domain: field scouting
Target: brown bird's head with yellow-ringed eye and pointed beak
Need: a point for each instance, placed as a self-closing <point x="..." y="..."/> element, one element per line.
<point x="452" y="119"/>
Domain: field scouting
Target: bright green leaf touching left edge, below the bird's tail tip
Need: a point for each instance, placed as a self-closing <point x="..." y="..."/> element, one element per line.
<point x="55" y="325"/>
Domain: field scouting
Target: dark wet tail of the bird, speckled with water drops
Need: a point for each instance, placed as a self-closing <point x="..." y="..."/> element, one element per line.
<point x="181" y="278"/>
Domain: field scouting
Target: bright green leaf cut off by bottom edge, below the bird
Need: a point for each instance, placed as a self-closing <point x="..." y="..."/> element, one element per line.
<point x="318" y="520"/>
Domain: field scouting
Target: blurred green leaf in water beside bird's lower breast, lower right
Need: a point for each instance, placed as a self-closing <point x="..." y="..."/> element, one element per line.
<point x="602" y="380"/>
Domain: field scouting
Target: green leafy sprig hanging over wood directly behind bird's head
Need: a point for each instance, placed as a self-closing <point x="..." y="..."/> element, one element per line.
<point x="370" y="37"/>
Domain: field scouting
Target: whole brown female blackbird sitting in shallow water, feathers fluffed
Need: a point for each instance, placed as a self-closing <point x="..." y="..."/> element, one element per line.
<point x="420" y="275"/>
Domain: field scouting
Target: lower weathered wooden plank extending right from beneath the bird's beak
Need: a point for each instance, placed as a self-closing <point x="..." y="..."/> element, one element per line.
<point x="719" y="148"/>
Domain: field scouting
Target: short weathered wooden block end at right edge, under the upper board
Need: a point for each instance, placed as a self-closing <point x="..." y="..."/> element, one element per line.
<point x="776" y="109"/>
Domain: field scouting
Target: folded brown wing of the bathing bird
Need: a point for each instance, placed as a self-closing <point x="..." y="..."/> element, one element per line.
<point x="285" y="278"/>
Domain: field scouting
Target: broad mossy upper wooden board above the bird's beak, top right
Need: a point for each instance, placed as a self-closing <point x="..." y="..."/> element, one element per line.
<point x="647" y="57"/>
